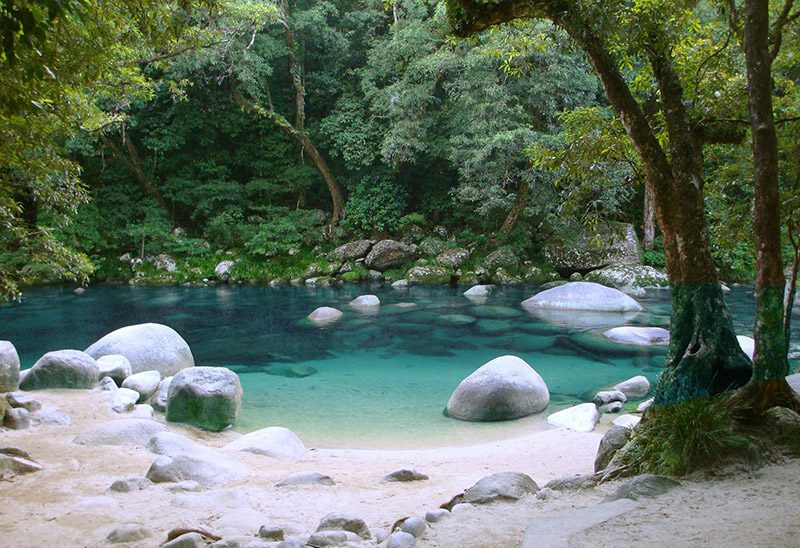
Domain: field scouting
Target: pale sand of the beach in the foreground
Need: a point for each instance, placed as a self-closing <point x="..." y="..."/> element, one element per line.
<point x="69" y="503"/>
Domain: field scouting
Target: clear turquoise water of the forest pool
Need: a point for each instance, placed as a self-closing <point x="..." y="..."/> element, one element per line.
<point x="369" y="380"/>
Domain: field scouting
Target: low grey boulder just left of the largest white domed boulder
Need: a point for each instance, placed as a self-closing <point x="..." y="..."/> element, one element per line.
<point x="62" y="369"/>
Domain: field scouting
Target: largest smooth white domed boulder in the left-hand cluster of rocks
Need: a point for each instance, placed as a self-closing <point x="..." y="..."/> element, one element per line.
<point x="148" y="346"/>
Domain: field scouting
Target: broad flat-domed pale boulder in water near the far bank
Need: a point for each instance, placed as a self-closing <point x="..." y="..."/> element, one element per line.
<point x="583" y="296"/>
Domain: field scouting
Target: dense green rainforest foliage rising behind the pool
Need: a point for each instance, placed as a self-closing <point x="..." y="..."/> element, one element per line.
<point x="178" y="128"/>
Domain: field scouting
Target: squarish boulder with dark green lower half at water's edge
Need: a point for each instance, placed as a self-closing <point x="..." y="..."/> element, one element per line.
<point x="207" y="397"/>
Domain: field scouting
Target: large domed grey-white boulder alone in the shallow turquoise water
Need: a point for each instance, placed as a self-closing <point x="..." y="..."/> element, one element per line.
<point x="504" y="388"/>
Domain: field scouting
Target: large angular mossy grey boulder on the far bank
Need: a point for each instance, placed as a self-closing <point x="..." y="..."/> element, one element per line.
<point x="612" y="243"/>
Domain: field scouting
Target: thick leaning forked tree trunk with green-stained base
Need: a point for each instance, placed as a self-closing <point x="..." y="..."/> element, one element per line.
<point x="704" y="357"/>
